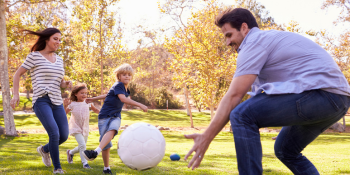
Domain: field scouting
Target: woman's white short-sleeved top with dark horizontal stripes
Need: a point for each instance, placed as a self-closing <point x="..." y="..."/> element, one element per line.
<point x="46" y="76"/>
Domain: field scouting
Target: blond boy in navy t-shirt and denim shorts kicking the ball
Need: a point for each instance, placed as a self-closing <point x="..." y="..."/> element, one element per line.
<point x="109" y="116"/>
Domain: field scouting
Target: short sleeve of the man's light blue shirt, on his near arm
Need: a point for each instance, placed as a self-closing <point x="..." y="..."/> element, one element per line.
<point x="251" y="59"/>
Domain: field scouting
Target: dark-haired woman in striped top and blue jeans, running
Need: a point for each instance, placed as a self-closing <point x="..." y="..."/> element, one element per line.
<point x="46" y="69"/>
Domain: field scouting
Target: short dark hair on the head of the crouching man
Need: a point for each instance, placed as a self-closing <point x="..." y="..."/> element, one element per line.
<point x="236" y="17"/>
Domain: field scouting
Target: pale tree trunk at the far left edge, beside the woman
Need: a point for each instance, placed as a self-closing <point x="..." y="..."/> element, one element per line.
<point x="10" y="127"/>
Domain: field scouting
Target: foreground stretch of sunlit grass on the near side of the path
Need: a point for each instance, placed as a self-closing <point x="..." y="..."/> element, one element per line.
<point x="18" y="155"/>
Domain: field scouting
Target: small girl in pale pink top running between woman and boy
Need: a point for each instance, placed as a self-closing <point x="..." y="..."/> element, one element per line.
<point x="79" y="120"/>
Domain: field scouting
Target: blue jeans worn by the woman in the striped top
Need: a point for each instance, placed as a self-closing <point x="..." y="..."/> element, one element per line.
<point x="54" y="119"/>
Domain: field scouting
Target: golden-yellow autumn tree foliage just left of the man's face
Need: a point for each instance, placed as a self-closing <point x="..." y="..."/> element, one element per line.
<point x="201" y="60"/>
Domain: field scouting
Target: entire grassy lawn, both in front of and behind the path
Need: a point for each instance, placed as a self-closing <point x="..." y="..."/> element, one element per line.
<point x="329" y="152"/>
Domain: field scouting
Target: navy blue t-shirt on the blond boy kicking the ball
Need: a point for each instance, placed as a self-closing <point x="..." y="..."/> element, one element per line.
<point x="112" y="105"/>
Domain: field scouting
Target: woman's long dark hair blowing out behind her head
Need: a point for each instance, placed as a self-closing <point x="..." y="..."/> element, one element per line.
<point x="44" y="35"/>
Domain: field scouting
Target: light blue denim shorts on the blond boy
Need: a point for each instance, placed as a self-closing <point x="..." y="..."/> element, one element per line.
<point x="108" y="124"/>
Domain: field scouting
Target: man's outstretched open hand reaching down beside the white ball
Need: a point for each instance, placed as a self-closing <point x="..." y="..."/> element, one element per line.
<point x="201" y="144"/>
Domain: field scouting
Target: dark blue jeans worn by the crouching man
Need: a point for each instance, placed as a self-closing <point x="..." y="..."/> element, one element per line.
<point x="303" y="116"/>
